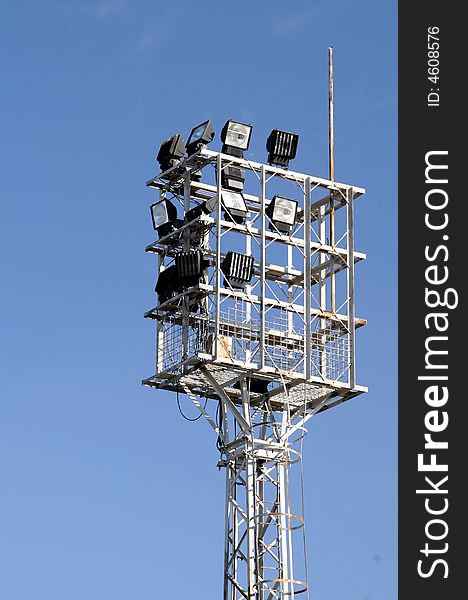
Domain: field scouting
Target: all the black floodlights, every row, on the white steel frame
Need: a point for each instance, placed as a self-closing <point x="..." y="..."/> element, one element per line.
<point x="190" y="267"/>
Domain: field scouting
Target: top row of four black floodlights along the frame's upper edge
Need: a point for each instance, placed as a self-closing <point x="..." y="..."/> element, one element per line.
<point x="281" y="147"/>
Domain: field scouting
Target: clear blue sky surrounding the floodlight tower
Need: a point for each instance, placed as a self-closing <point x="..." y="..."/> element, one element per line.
<point x="106" y="492"/>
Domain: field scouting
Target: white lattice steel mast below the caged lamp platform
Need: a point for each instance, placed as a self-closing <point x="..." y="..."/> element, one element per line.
<point x="262" y="530"/>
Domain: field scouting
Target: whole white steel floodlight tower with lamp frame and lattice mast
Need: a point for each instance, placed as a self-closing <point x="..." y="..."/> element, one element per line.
<point x="251" y="329"/>
